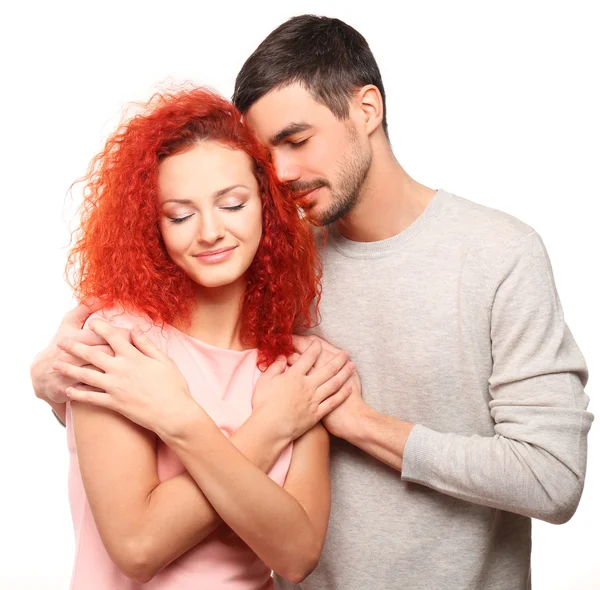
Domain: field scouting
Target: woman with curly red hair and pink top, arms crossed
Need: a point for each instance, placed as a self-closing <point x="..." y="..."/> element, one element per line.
<point x="200" y="254"/>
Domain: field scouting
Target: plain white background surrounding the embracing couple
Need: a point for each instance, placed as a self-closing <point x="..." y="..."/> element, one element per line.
<point x="496" y="102"/>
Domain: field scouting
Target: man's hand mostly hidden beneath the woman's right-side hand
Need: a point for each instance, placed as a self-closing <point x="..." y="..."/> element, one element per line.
<point x="344" y="419"/>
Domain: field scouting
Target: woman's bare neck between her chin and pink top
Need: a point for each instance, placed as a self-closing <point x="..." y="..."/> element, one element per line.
<point x="216" y="317"/>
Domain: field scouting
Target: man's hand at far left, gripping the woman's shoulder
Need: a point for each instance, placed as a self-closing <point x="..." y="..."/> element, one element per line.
<point x="47" y="383"/>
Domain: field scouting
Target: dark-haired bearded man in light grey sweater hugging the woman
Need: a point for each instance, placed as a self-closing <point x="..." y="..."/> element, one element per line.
<point x="473" y="418"/>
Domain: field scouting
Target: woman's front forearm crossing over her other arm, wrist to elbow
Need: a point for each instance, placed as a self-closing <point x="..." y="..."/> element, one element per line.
<point x="257" y="509"/>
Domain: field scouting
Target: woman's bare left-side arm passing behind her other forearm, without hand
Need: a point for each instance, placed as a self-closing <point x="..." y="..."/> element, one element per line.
<point x="143" y="523"/>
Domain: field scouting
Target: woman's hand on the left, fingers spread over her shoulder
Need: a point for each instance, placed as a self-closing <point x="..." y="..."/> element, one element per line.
<point x="140" y="382"/>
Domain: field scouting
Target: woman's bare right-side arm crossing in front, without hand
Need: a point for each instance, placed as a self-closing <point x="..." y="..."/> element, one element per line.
<point x="258" y="510"/>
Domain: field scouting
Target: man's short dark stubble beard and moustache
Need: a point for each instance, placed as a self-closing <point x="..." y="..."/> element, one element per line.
<point x="351" y="171"/>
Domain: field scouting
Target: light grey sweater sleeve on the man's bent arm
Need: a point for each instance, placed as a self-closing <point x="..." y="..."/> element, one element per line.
<point x="535" y="463"/>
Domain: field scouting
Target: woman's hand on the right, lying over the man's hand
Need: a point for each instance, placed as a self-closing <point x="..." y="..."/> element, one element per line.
<point x="298" y="397"/>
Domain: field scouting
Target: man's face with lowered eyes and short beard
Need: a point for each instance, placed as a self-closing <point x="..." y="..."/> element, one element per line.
<point x="322" y="159"/>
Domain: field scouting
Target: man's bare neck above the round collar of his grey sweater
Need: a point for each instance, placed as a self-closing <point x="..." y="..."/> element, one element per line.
<point x="390" y="200"/>
